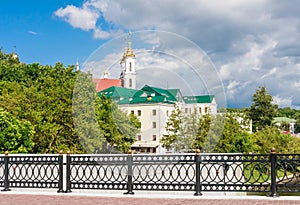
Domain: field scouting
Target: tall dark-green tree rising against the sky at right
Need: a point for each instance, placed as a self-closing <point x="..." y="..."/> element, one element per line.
<point x="262" y="111"/>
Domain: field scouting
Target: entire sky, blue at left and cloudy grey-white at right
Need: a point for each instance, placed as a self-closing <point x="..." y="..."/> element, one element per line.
<point x="249" y="43"/>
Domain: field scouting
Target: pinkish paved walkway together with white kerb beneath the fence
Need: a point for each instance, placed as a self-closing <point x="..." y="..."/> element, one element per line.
<point x="140" y="198"/>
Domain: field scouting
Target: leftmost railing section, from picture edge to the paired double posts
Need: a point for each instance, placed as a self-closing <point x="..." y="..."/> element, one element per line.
<point x="31" y="171"/>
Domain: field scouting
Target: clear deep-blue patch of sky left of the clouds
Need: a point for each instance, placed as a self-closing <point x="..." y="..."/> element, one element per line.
<point x="40" y="36"/>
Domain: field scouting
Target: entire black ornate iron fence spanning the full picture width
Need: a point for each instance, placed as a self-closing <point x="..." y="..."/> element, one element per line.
<point x="271" y="173"/>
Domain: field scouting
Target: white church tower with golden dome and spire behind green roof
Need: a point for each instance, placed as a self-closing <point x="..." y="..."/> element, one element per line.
<point x="128" y="73"/>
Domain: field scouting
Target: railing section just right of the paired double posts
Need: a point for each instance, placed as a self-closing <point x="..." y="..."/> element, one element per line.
<point x="96" y="172"/>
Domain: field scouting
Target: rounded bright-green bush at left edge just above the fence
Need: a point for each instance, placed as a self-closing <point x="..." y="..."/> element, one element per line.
<point x="15" y="135"/>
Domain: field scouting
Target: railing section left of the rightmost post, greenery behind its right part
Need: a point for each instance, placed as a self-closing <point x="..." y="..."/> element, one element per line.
<point x="235" y="173"/>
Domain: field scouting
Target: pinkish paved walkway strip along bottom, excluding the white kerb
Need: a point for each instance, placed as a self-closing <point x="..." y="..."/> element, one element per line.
<point x="41" y="199"/>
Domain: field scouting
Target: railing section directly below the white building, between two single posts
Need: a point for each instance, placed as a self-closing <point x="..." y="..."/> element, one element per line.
<point x="163" y="172"/>
